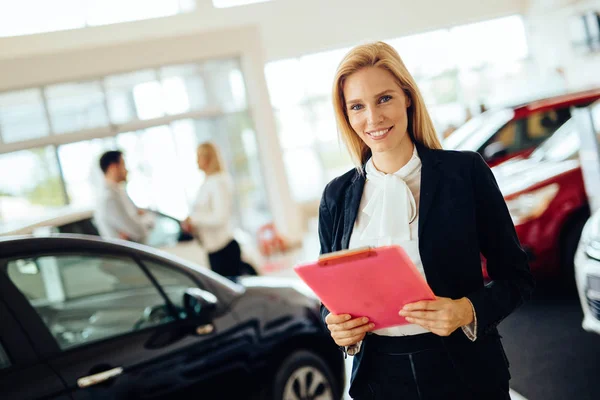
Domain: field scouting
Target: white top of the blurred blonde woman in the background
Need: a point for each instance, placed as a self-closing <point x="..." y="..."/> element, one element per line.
<point x="213" y="210"/>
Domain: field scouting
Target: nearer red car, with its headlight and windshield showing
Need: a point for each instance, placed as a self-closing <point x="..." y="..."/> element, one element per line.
<point x="546" y="197"/>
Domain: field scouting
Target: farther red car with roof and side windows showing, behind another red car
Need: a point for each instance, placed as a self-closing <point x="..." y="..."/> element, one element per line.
<point x="501" y="134"/>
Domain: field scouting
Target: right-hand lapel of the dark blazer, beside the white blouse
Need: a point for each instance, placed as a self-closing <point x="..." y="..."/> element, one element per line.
<point x="430" y="176"/>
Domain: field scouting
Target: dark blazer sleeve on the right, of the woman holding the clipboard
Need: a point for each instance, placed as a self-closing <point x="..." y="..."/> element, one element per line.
<point x="511" y="280"/>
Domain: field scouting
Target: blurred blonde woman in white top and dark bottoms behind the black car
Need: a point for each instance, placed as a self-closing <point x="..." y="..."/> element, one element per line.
<point x="211" y="217"/>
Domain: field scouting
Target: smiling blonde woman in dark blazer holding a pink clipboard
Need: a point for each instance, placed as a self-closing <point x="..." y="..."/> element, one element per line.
<point x="445" y="209"/>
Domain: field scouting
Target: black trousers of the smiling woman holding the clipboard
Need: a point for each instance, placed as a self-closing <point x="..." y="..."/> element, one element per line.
<point x="413" y="368"/>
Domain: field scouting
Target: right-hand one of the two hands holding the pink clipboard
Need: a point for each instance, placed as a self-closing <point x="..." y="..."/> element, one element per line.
<point x="441" y="316"/>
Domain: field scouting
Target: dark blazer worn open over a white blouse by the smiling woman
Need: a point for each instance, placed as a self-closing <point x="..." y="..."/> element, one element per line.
<point x="462" y="214"/>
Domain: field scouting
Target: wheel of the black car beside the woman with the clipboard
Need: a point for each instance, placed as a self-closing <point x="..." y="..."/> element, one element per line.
<point x="304" y="376"/>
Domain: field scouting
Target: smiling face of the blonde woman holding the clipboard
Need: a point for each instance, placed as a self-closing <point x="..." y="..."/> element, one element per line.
<point x="376" y="108"/>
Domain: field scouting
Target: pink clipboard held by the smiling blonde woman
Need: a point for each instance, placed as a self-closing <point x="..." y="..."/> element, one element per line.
<point x="369" y="282"/>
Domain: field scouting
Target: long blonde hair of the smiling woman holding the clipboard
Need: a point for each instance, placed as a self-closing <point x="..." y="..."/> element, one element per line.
<point x="380" y="55"/>
